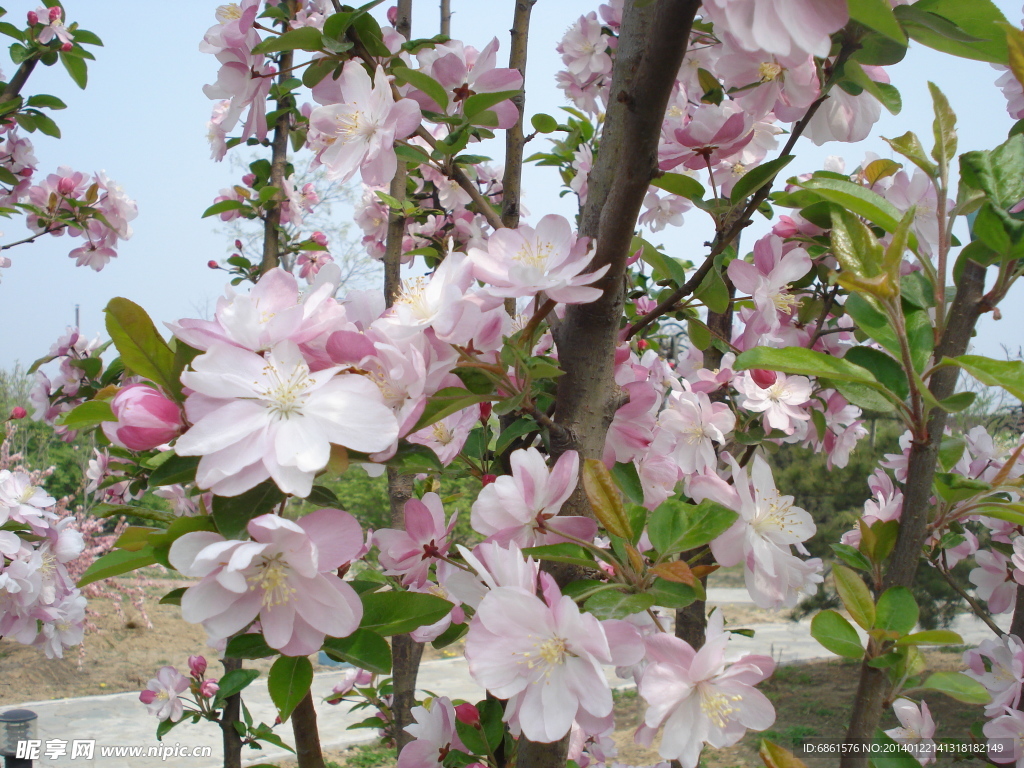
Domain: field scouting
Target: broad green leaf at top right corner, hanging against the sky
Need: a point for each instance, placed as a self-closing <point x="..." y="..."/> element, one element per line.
<point x="979" y="19"/>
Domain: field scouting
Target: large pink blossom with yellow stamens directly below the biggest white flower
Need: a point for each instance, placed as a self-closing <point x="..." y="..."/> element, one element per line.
<point x="286" y="578"/>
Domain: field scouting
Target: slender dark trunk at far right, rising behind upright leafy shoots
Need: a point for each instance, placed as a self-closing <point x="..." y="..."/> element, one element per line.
<point x="964" y="314"/>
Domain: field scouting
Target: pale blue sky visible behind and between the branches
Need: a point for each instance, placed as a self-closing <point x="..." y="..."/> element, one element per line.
<point x="143" y="120"/>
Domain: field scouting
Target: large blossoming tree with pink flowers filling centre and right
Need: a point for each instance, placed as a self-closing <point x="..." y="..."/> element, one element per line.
<point x="615" y="476"/>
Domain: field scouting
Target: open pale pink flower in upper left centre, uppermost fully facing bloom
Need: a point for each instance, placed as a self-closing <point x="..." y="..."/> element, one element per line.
<point x="360" y="134"/>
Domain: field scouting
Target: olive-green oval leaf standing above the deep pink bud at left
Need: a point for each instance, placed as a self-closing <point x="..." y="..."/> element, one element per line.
<point x="143" y="350"/>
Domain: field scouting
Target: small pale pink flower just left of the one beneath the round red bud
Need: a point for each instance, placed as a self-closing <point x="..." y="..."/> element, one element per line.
<point x="698" y="424"/>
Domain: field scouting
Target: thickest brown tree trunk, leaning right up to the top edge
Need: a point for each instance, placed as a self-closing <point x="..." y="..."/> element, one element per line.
<point x="652" y="45"/>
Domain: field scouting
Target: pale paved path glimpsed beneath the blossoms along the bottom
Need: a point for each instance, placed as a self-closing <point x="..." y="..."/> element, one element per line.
<point x="120" y="720"/>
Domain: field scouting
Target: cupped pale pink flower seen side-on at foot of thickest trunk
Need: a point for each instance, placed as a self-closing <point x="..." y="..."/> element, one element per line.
<point x="523" y="508"/>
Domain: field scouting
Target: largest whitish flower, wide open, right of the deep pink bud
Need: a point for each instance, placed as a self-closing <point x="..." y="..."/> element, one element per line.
<point x="255" y="418"/>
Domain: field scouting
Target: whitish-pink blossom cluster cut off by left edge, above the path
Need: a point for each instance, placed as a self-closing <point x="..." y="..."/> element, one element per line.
<point x="39" y="603"/>
